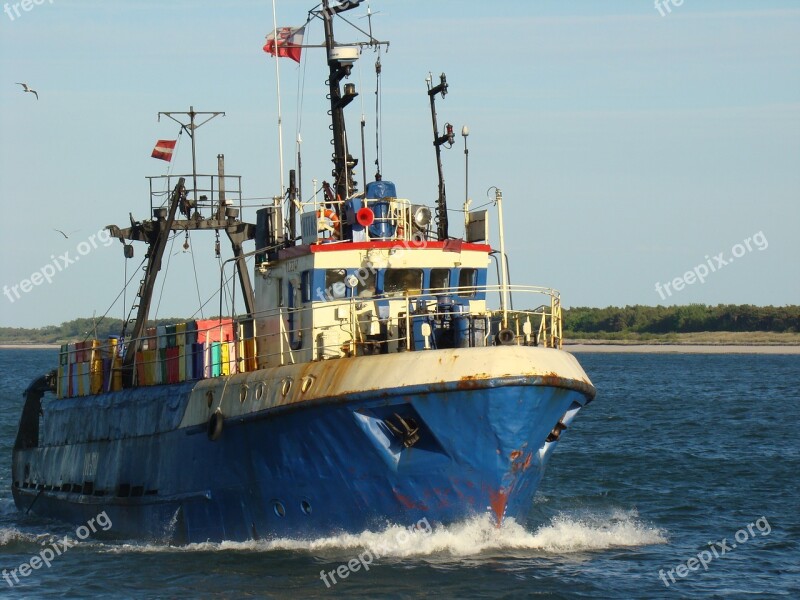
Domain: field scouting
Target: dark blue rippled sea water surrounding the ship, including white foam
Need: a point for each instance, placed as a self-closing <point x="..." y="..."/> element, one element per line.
<point x="677" y="452"/>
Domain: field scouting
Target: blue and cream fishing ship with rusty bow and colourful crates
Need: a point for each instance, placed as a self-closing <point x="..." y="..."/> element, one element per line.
<point x="376" y="376"/>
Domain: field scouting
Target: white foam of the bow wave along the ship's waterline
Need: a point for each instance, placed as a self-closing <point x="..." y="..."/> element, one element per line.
<point x="564" y="534"/>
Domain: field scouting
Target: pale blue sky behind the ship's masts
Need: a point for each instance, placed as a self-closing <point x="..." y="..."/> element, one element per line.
<point x="647" y="153"/>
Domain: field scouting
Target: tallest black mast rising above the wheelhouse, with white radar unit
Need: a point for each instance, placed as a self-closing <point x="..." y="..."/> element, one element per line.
<point x="340" y="63"/>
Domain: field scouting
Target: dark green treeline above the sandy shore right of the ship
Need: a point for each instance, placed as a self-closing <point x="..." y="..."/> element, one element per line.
<point x="682" y="319"/>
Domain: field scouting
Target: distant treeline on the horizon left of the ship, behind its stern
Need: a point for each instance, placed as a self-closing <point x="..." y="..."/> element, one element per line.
<point x="70" y="331"/>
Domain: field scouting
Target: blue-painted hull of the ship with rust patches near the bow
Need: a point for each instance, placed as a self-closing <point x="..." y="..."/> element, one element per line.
<point x="333" y="466"/>
